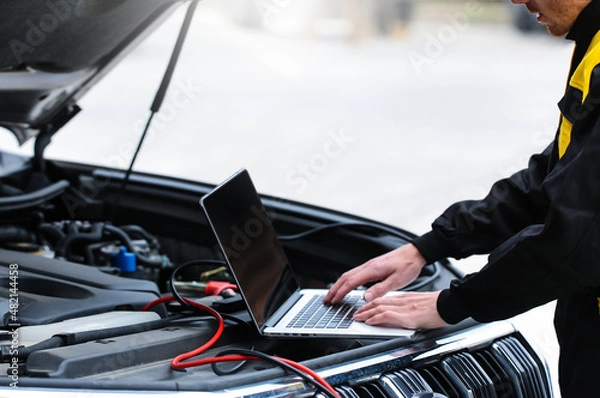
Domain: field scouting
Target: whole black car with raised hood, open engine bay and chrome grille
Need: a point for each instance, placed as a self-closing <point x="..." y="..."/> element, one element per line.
<point x="99" y="265"/>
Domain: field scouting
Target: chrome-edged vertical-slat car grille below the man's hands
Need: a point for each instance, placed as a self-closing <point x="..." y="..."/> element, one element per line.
<point x="505" y="368"/>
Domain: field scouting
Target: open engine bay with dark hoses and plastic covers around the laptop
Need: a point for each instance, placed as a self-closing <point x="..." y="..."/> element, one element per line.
<point x="67" y="271"/>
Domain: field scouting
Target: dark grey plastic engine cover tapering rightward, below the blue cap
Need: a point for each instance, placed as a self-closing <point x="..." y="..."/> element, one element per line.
<point x="51" y="291"/>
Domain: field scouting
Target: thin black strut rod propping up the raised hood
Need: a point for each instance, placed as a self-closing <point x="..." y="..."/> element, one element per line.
<point x="158" y="98"/>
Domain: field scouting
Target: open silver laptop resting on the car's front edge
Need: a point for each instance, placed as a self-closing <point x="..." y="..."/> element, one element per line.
<point x="265" y="279"/>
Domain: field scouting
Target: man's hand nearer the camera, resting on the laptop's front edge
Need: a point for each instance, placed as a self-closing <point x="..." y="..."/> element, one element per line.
<point x="411" y="310"/>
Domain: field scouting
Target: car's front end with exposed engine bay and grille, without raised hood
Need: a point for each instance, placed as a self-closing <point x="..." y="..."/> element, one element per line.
<point x="111" y="288"/>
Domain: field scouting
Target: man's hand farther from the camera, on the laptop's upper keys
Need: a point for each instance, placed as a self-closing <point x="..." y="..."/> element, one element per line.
<point x="394" y="269"/>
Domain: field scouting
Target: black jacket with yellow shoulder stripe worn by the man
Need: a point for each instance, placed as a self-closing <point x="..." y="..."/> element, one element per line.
<point x="541" y="226"/>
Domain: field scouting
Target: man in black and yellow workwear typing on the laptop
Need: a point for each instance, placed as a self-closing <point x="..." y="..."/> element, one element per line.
<point x="541" y="228"/>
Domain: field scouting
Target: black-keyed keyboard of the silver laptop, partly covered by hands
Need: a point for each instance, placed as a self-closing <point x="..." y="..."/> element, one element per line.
<point x="315" y="314"/>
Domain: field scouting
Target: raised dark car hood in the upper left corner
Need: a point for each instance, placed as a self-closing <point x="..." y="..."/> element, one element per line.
<point x="55" y="50"/>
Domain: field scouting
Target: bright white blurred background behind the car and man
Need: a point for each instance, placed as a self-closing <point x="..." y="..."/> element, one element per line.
<point x="390" y="109"/>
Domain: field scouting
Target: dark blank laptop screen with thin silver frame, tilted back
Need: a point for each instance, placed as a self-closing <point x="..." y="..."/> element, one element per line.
<point x="250" y="245"/>
